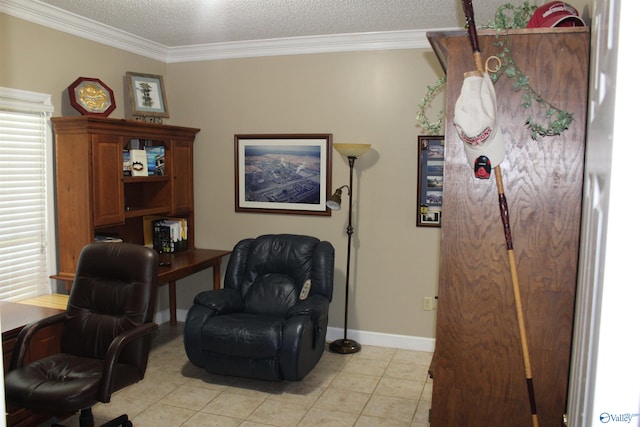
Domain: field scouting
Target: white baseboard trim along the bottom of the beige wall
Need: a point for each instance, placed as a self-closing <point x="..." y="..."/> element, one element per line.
<point x="379" y="339"/>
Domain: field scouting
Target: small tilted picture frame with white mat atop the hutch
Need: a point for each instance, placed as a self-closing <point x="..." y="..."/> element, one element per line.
<point x="147" y="95"/>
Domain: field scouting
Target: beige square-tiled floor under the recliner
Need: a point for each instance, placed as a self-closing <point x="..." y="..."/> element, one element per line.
<point x="376" y="387"/>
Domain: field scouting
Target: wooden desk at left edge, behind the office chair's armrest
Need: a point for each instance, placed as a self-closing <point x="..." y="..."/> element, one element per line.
<point x="44" y="343"/>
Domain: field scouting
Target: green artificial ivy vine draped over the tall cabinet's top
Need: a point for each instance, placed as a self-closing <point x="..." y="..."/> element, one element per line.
<point x="507" y="17"/>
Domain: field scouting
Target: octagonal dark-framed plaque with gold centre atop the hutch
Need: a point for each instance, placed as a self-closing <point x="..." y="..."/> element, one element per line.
<point x="91" y="97"/>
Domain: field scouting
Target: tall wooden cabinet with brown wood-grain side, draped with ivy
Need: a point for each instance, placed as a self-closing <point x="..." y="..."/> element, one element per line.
<point x="477" y="369"/>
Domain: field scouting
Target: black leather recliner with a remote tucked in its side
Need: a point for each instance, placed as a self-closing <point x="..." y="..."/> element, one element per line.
<point x="263" y="324"/>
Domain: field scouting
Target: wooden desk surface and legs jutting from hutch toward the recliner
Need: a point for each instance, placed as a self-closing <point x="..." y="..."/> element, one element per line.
<point x="184" y="264"/>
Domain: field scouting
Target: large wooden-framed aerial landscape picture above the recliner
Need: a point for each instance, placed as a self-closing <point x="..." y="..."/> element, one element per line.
<point x="283" y="173"/>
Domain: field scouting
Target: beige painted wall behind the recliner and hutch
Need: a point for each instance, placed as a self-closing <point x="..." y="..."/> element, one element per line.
<point x="367" y="97"/>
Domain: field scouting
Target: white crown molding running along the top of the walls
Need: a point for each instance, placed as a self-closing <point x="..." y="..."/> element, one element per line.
<point x="58" y="19"/>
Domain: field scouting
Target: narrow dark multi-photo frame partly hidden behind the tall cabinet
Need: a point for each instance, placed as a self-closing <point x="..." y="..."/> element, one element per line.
<point x="430" y="180"/>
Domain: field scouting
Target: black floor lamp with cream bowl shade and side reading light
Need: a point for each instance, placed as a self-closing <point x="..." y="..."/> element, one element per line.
<point x="351" y="152"/>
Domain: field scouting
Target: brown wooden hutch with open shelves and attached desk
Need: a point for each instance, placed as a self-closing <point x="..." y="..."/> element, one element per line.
<point x="94" y="196"/>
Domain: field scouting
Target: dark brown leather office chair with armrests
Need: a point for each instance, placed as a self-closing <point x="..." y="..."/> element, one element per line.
<point x="106" y="335"/>
